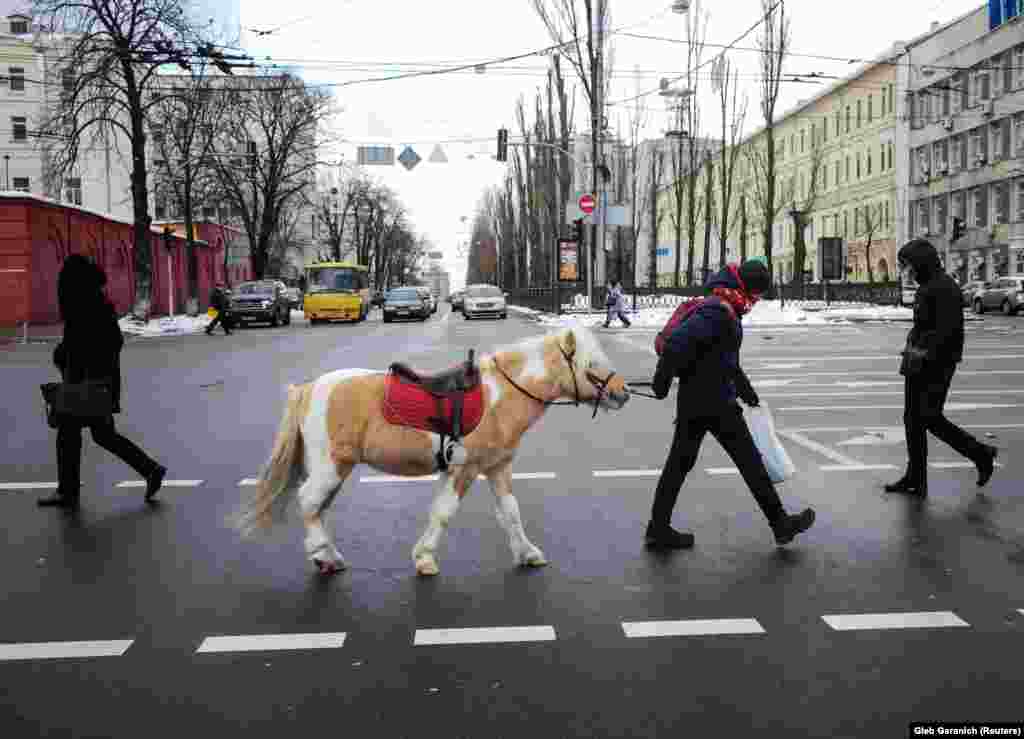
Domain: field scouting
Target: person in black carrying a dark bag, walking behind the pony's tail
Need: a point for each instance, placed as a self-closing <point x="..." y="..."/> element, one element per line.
<point x="92" y="349"/>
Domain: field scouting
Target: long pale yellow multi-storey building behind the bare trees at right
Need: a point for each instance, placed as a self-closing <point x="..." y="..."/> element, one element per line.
<point x="847" y="133"/>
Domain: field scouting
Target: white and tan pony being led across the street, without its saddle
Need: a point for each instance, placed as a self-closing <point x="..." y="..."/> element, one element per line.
<point x="336" y="422"/>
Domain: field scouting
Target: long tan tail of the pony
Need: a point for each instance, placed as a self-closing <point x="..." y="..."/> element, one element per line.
<point x="283" y="472"/>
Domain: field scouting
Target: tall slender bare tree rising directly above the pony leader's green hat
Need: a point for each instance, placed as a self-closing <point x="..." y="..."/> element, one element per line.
<point x="774" y="46"/>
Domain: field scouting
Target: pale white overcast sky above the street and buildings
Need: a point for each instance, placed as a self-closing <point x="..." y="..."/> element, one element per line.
<point x="352" y="40"/>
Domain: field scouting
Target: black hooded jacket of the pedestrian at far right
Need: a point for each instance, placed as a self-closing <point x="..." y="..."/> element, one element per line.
<point x="938" y="311"/>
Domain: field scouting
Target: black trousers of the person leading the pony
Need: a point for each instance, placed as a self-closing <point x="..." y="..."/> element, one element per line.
<point x="730" y="429"/>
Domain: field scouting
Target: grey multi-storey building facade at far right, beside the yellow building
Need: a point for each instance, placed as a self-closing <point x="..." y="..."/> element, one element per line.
<point x="964" y="127"/>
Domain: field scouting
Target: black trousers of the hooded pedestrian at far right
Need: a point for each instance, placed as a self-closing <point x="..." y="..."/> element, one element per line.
<point x="924" y="400"/>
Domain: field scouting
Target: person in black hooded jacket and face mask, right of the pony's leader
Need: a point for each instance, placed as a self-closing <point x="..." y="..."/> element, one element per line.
<point x="934" y="347"/>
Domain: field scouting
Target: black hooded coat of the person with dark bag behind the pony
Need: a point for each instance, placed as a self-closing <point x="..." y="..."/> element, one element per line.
<point x="93" y="341"/>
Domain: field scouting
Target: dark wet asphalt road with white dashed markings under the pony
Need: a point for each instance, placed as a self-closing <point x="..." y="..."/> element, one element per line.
<point x="735" y="638"/>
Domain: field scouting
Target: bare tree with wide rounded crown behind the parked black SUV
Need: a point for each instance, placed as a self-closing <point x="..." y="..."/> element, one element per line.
<point x="273" y="133"/>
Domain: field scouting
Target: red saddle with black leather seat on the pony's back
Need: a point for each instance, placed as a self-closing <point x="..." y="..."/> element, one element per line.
<point x="450" y="404"/>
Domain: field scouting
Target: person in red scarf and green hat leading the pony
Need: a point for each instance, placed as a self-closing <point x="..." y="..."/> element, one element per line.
<point x="704" y="354"/>
